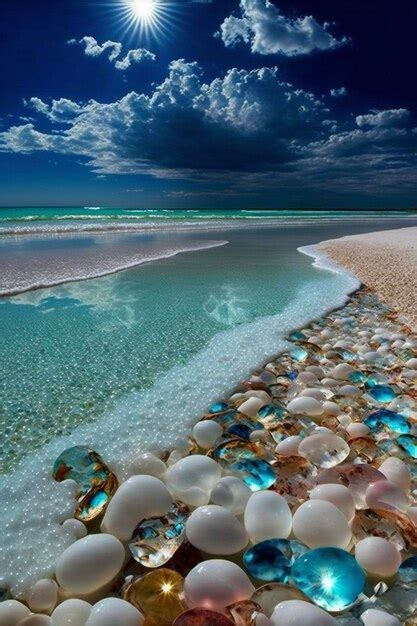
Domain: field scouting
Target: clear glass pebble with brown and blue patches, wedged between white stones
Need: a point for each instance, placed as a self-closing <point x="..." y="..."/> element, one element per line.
<point x="156" y="540"/>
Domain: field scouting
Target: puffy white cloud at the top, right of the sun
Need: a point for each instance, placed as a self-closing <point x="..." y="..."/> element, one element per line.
<point x="261" y="25"/>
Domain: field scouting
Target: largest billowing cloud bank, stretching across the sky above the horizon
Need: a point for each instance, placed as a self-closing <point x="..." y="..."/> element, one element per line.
<point x="246" y="130"/>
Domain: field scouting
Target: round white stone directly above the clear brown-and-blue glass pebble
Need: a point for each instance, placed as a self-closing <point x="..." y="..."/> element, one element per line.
<point x="193" y="471"/>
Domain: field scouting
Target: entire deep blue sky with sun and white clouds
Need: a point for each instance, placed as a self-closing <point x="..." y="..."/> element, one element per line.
<point x="208" y="103"/>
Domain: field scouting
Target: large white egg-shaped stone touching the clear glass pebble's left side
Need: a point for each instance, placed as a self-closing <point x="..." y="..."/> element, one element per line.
<point x="138" y="498"/>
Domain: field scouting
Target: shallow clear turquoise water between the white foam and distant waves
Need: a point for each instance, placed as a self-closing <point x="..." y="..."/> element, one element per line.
<point x="69" y="353"/>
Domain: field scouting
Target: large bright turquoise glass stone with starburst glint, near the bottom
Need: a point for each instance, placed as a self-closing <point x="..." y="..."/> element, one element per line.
<point x="330" y="577"/>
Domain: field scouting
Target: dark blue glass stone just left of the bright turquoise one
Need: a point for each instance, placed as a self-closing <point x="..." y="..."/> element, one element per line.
<point x="271" y="560"/>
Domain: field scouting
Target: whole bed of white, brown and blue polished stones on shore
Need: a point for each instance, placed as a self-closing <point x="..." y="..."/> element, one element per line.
<point x="294" y="502"/>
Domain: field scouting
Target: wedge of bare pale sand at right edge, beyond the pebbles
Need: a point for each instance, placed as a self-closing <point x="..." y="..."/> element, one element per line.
<point x="384" y="261"/>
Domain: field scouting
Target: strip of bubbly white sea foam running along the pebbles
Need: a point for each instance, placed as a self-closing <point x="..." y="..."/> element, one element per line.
<point x="34" y="506"/>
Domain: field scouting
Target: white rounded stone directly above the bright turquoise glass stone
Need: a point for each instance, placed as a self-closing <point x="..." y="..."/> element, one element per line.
<point x="319" y="524"/>
